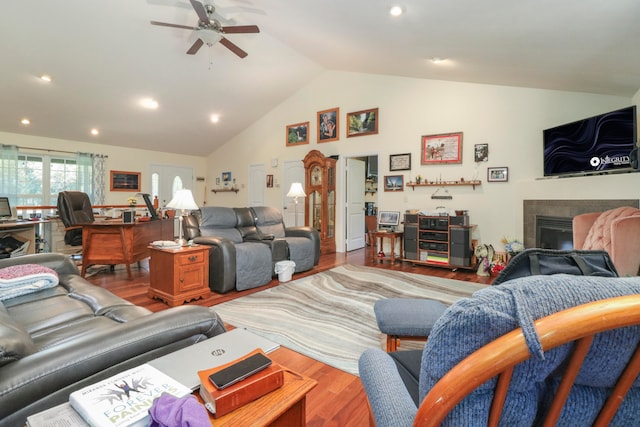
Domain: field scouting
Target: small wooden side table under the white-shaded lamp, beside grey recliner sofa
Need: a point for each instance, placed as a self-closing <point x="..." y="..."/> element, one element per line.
<point x="179" y="275"/>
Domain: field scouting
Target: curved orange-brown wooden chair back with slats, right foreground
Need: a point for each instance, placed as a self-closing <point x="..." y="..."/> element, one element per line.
<point x="497" y="359"/>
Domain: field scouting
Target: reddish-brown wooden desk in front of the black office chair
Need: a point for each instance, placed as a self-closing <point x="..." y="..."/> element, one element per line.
<point x="114" y="242"/>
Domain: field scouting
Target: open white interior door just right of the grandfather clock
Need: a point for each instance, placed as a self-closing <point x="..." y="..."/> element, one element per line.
<point x="355" y="204"/>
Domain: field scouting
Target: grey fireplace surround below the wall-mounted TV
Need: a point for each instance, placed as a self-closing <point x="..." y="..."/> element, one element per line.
<point x="563" y="209"/>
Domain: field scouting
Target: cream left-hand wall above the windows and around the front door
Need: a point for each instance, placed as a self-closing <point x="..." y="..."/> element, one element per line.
<point x="120" y="158"/>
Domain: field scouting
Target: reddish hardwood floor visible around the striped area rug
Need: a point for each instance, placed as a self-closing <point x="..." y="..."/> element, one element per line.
<point x="339" y="398"/>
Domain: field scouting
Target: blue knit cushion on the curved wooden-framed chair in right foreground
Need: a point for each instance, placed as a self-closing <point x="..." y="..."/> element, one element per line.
<point x="472" y="322"/>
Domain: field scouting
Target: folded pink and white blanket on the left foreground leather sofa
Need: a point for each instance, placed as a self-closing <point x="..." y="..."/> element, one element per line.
<point x="22" y="279"/>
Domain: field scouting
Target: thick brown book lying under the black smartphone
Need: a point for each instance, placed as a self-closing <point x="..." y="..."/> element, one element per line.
<point x="221" y="402"/>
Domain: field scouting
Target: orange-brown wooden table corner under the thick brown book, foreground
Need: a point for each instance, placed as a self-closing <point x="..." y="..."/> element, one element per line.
<point x="284" y="407"/>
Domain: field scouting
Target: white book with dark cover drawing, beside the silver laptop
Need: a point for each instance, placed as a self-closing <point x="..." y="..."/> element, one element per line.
<point x="125" y="399"/>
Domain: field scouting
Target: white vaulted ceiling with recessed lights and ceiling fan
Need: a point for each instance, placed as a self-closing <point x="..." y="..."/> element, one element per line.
<point x="103" y="57"/>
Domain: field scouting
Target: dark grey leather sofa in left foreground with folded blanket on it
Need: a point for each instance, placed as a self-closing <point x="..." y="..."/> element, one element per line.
<point x="58" y="339"/>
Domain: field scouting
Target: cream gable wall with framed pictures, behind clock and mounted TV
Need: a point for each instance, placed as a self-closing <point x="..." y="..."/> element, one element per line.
<point x="509" y="119"/>
